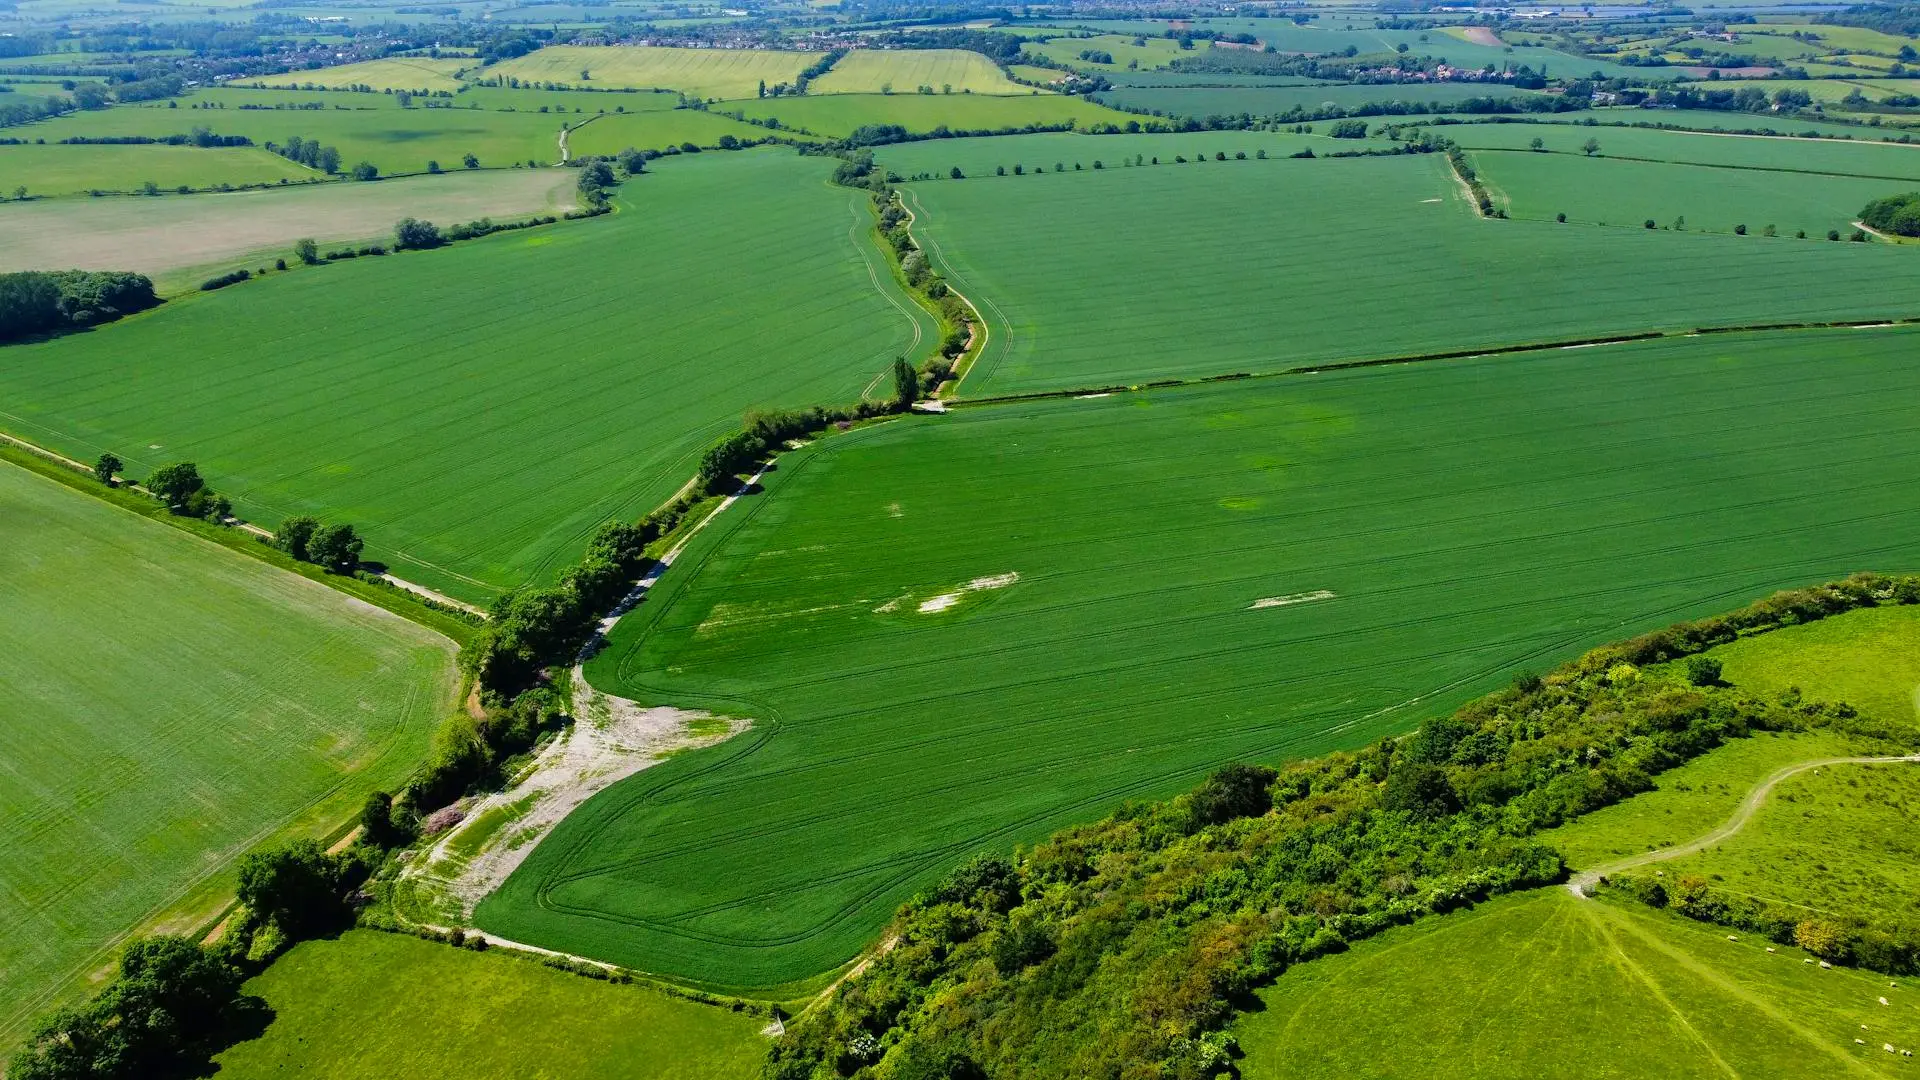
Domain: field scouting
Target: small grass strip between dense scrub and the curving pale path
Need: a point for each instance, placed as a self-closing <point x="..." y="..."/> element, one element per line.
<point x="1689" y="800"/>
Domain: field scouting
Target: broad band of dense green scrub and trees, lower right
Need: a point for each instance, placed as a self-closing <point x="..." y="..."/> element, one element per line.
<point x="1122" y="948"/>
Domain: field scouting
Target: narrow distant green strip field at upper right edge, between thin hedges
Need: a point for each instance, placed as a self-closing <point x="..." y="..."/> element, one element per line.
<point x="1858" y="159"/>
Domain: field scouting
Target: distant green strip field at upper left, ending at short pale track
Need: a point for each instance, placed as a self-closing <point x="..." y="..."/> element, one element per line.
<point x="398" y="141"/>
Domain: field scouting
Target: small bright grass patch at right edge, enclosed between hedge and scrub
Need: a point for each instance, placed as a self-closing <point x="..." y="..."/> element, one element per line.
<point x="1869" y="660"/>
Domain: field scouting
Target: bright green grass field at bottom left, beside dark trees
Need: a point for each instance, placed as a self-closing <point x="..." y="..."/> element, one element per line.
<point x="375" y="1006"/>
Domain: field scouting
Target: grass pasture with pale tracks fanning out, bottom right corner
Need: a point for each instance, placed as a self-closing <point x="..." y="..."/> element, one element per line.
<point x="1527" y="985"/>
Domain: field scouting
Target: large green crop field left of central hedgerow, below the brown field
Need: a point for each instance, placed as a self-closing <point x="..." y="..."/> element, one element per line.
<point x="479" y="433"/>
